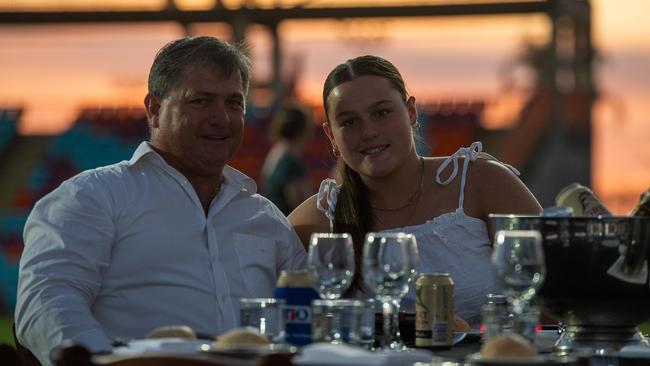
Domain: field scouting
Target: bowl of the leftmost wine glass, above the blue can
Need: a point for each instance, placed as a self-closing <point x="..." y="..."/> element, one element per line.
<point x="331" y="256"/>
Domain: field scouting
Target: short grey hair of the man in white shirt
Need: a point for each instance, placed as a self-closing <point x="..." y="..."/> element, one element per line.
<point x="174" y="56"/>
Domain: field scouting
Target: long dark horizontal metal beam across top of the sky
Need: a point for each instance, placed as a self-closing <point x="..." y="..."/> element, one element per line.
<point x="274" y="15"/>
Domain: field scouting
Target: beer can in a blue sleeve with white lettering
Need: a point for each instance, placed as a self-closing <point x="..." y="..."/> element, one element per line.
<point x="296" y="289"/>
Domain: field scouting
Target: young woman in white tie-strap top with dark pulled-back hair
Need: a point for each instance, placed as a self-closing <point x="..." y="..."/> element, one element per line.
<point x="387" y="186"/>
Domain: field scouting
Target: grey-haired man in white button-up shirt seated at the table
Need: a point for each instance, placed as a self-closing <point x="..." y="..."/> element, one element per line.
<point x="173" y="236"/>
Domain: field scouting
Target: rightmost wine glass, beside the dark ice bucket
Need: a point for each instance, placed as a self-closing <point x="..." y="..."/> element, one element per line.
<point x="518" y="259"/>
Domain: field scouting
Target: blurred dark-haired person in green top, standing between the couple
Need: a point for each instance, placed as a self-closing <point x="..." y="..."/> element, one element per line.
<point x="285" y="175"/>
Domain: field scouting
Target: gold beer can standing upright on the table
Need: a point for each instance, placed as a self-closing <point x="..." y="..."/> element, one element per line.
<point x="434" y="310"/>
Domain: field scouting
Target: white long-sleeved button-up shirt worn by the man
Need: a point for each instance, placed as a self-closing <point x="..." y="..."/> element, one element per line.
<point x="119" y="250"/>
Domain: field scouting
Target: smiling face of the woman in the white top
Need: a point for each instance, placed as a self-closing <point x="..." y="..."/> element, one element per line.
<point x="371" y="125"/>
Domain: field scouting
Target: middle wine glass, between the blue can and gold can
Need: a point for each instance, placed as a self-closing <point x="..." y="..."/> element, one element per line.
<point x="390" y="262"/>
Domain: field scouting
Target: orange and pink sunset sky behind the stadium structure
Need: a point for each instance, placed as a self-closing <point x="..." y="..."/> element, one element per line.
<point x="52" y="70"/>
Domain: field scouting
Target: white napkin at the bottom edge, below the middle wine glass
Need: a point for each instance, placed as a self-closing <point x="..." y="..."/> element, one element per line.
<point x="343" y="354"/>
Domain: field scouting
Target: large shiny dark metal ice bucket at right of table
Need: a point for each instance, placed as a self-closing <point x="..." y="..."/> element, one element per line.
<point x="596" y="274"/>
